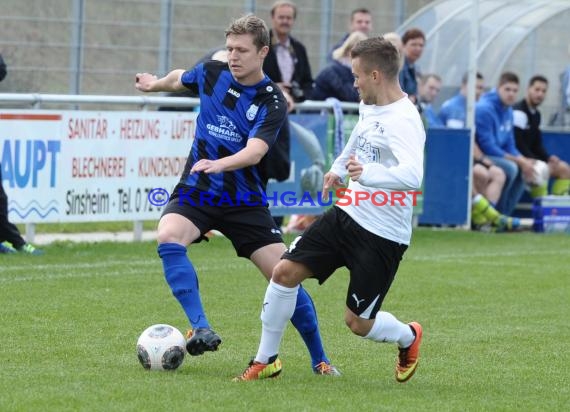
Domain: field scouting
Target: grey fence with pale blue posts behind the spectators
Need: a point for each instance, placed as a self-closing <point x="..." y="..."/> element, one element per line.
<point x="96" y="46"/>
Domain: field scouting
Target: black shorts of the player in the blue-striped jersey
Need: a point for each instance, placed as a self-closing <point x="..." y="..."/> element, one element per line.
<point x="248" y="227"/>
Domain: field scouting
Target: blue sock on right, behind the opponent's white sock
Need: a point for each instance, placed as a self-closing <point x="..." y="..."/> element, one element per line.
<point x="305" y="321"/>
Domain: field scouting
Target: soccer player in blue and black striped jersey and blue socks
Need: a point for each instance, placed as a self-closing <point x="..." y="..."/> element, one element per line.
<point x="223" y="184"/>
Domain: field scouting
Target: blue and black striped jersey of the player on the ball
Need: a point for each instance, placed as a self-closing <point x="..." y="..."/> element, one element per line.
<point x="230" y="114"/>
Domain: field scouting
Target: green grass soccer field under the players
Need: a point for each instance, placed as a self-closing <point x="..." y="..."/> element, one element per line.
<point x="494" y="310"/>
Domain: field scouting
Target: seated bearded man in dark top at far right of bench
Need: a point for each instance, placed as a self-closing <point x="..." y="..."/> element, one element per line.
<point x="528" y="139"/>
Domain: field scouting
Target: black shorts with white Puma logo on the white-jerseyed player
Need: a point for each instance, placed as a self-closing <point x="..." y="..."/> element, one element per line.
<point x="336" y="240"/>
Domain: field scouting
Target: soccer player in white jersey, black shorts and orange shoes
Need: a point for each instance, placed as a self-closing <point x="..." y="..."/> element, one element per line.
<point x="384" y="154"/>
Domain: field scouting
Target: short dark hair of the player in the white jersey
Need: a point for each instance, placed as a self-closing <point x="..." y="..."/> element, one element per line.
<point x="378" y="53"/>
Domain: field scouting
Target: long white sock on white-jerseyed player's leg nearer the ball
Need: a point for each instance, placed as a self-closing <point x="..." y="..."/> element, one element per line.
<point x="278" y="307"/>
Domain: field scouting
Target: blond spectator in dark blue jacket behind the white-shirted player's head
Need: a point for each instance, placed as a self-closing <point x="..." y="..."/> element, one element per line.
<point x="336" y="80"/>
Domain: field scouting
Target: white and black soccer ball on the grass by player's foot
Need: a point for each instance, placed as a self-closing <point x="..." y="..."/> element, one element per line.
<point x="161" y="347"/>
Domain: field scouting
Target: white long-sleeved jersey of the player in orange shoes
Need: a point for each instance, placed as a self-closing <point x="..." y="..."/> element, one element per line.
<point x="389" y="142"/>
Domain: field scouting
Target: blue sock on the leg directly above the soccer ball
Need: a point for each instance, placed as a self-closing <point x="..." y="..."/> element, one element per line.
<point x="183" y="282"/>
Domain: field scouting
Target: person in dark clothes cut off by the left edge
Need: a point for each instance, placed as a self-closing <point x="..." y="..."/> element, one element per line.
<point x="11" y="241"/>
